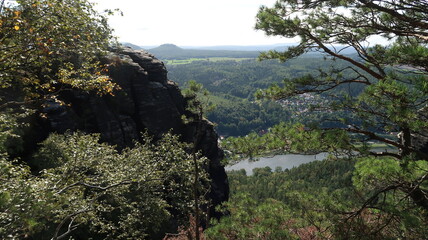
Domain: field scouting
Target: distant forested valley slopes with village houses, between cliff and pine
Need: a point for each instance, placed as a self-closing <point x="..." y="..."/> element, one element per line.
<point x="233" y="85"/>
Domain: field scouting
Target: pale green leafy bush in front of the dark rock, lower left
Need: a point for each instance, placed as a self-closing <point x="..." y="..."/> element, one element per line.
<point x="90" y="188"/>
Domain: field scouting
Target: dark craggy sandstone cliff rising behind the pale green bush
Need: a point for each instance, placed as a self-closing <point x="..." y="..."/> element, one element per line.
<point x="147" y="101"/>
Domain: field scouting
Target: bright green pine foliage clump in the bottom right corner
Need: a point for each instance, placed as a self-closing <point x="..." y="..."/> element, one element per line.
<point x="376" y="177"/>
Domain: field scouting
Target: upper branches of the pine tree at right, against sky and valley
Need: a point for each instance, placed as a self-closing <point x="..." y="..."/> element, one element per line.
<point x="390" y="79"/>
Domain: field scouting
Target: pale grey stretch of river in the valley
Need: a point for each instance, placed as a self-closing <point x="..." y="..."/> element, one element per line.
<point x="284" y="161"/>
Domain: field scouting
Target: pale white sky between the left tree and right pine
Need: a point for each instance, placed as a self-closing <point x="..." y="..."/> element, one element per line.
<point x="188" y="22"/>
